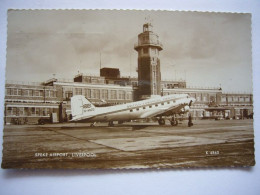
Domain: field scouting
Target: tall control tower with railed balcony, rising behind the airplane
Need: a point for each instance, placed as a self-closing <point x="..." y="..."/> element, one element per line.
<point x="149" y="73"/>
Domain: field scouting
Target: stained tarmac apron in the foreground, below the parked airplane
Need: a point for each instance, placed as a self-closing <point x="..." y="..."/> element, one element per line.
<point x="209" y="143"/>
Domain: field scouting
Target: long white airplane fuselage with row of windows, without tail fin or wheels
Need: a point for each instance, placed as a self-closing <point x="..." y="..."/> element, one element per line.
<point x="155" y="107"/>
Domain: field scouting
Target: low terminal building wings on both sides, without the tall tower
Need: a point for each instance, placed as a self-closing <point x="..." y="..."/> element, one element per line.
<point x="28" y="102"/>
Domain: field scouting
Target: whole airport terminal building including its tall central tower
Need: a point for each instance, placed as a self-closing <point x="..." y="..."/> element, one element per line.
<point x="26" y="103"/>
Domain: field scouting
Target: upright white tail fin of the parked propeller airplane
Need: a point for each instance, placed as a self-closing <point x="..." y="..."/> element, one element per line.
<point x="80" y="105"/>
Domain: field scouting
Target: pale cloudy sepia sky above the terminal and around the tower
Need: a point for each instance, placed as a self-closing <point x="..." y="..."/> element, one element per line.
<point x="205" y="49"/>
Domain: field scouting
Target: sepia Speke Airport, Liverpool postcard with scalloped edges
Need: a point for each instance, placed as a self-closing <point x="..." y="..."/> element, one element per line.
<point x="110" y="89"/>
